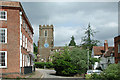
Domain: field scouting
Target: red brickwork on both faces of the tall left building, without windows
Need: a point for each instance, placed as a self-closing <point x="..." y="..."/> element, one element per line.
<point x="13" y="38"/>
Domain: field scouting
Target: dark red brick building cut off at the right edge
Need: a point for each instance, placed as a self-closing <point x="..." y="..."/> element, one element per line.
<point x="117" y="49"/>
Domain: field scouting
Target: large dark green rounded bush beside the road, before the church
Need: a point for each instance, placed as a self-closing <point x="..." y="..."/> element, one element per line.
<point x="62" y="63"/>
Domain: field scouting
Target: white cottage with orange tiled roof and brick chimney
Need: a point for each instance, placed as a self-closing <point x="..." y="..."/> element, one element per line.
<point x="105" y="54"/>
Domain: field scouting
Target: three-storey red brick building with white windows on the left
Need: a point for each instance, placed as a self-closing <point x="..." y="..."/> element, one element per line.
<point x="16" y="40"/>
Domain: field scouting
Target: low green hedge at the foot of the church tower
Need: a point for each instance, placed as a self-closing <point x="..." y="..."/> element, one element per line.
<point x="42" y="64"/>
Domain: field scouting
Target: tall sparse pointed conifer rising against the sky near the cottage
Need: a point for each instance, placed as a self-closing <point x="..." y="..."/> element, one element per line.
<point x="87" y="41"/>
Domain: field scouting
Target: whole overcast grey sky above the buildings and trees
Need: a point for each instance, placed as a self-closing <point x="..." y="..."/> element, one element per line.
<point x="72" y="18"/>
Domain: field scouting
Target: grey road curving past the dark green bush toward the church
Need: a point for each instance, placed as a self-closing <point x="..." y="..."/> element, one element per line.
<point x="50" y="74"/>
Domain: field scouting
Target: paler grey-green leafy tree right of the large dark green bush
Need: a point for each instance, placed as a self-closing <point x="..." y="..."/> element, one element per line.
<point x="79" y="59"/>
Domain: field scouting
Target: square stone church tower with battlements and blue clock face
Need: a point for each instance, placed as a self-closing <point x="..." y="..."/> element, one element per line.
<point x="45" y="43"/>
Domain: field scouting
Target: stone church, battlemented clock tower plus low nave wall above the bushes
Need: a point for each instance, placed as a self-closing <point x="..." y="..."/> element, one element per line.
<point x="46" y="47"/>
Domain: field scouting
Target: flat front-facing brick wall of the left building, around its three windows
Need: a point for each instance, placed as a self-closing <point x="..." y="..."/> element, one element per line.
<point x="13" y="41"/>
